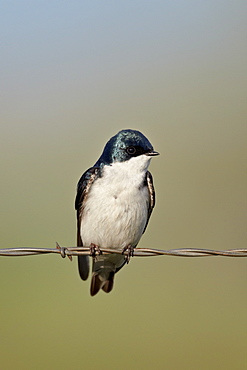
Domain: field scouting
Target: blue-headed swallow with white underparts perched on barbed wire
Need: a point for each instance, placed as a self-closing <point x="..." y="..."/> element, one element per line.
<point x="114" y="202"/>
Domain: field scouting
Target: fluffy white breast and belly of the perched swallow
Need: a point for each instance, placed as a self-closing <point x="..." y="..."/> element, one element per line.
<point x="116" y="209"/>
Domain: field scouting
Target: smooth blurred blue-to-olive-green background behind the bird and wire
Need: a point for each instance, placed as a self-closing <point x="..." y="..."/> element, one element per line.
<point x="74" y="73"/>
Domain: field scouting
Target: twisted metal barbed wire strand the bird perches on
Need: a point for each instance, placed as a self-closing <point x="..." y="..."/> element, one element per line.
<point x="138" y="252"/>
